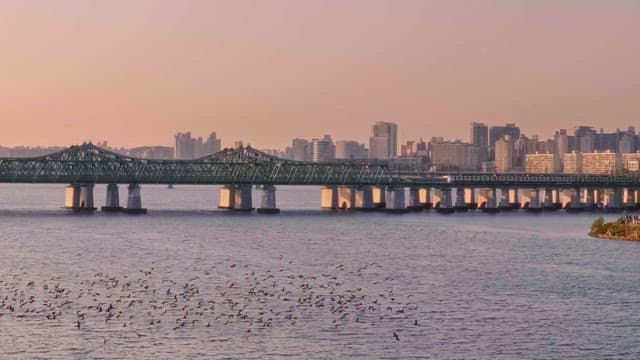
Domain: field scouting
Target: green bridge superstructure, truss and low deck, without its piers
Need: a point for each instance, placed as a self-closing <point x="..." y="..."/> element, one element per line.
<point x="88" y="163"/>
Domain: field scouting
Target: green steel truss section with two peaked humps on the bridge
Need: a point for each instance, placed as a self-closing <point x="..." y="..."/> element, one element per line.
<point x="88" y="163"/>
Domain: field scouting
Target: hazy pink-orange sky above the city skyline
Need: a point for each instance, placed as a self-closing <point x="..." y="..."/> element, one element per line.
<point x="135" y="72"/>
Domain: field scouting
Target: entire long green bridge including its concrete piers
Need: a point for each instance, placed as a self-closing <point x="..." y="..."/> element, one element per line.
<point x="348" y="184"/>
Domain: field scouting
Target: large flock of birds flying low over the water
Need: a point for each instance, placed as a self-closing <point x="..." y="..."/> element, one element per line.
<point x="244" y="297"/>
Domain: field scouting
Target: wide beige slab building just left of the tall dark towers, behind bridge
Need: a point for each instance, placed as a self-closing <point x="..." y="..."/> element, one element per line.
<point x="453" y="155"/>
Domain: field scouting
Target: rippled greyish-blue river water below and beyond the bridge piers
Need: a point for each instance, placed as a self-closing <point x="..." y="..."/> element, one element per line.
<point x="306" y="283"/>
